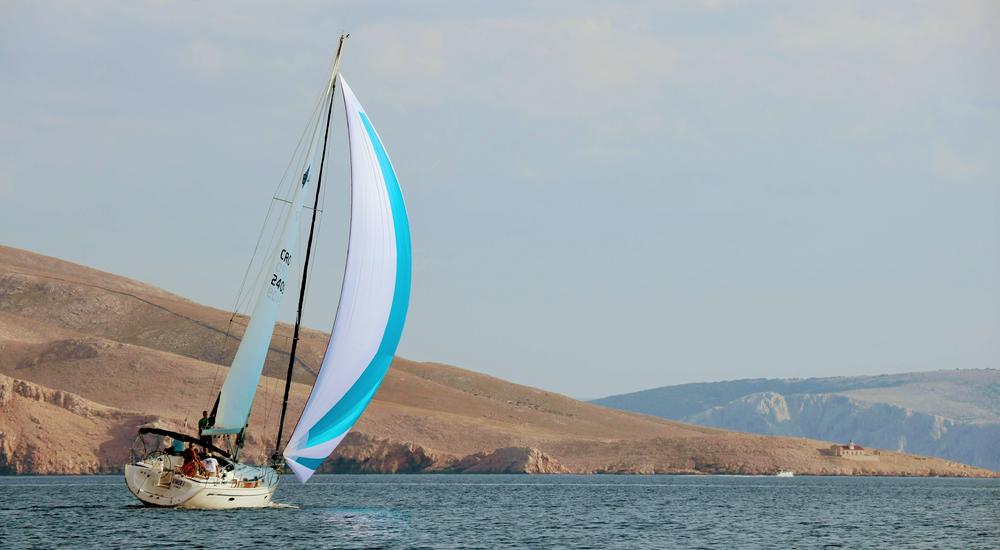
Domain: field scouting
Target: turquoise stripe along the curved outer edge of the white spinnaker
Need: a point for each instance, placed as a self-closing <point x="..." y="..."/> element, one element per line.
<point x="346" y="412"/>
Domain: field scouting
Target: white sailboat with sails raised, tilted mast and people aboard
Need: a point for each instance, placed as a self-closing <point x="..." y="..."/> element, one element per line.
<point x="367" y="327"/>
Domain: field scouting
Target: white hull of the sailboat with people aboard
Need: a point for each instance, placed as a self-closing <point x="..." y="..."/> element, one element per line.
<point x="157" y="483"/>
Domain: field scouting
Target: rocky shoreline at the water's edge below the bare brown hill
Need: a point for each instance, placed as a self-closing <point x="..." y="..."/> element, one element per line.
<point x="31" y="452"/>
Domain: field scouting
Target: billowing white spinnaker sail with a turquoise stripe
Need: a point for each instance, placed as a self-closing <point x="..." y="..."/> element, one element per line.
<point x="373" y="301"/>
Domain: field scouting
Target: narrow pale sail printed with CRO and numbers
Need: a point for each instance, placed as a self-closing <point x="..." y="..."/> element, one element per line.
<point x="241" y="382"/>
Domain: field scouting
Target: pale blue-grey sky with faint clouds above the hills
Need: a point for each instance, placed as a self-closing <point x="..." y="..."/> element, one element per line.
<point x="604" y="197"/>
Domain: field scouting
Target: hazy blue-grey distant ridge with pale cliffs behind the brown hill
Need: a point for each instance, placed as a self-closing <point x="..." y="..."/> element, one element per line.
<point x="951" y="414"/>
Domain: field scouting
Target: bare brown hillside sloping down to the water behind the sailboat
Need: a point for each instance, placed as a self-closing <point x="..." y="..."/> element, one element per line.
<point x="87" y="357"/>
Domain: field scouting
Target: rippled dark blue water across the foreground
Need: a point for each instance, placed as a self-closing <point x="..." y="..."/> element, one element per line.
<point x="498" y="511"/>
